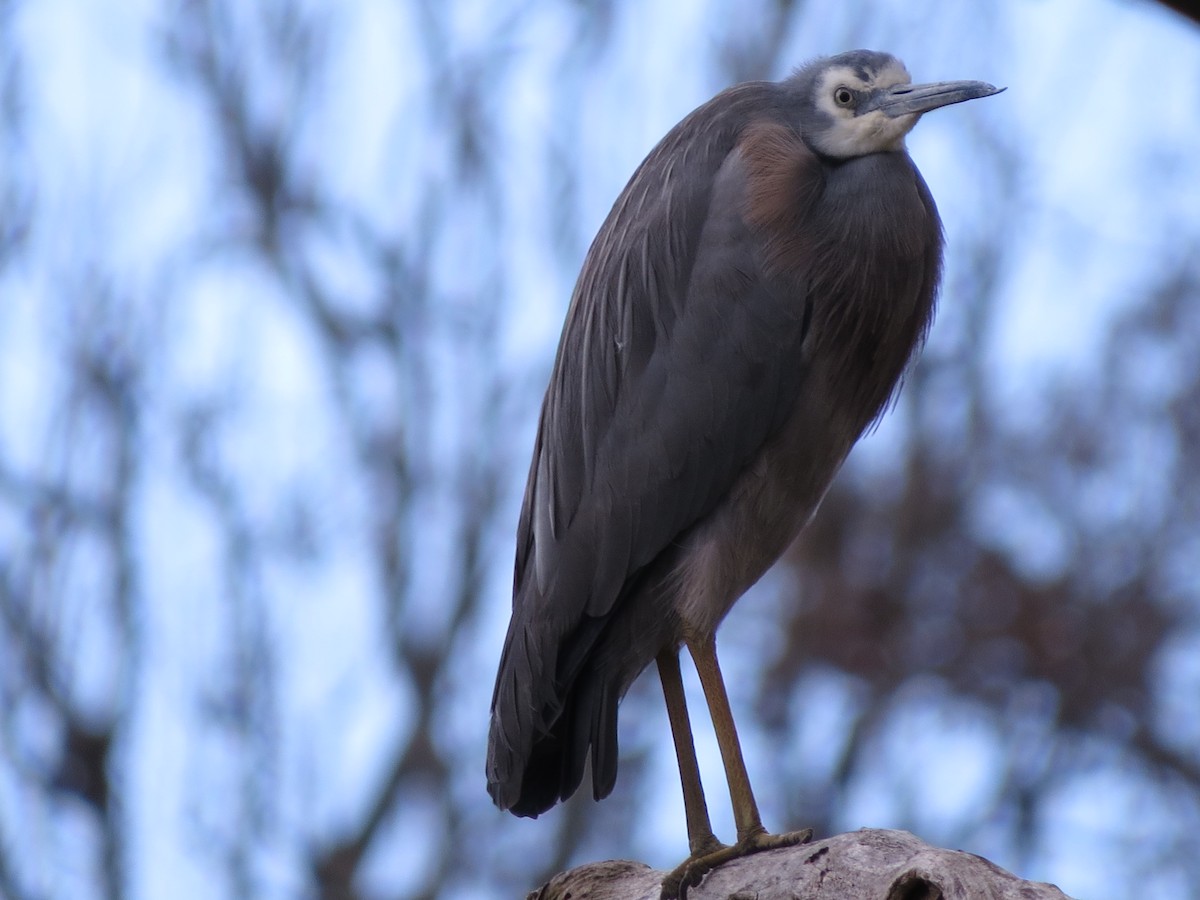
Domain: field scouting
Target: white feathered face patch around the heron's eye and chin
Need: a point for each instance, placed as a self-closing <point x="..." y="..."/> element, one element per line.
<point x="871" y="133"/>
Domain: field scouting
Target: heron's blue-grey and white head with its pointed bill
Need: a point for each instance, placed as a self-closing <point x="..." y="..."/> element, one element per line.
<point x="865" y="103"/>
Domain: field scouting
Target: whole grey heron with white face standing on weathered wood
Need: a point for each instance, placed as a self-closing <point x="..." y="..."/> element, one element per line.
<point x="745" y="315"/>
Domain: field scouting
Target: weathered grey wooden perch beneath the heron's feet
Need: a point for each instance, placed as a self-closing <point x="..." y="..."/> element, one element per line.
<point x="871" y="865"/>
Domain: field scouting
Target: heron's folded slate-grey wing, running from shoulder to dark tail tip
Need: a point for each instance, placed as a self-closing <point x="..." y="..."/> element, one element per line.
<point x="677" y="359"/>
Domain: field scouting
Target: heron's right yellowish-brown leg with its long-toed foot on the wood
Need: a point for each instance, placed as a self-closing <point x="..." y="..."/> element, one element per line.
<point x="753" y="838"/>
